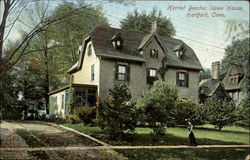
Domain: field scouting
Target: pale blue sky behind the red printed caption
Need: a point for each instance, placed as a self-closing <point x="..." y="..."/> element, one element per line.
<point x="200" y="24"/>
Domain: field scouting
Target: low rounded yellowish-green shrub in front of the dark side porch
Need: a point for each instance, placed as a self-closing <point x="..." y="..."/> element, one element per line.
<point x="85" y="114"/>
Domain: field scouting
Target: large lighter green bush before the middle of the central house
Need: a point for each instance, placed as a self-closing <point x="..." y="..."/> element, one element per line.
<point x="157" y="106"/>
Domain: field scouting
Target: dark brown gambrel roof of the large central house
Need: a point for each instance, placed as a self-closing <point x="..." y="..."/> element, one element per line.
<point x="102" y="35"/>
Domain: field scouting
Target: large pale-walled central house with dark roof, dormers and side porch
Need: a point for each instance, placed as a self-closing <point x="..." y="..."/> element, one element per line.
<point x="111" y="55"/>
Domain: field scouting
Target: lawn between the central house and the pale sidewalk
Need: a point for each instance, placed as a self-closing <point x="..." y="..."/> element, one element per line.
<point x="175" y="136"/>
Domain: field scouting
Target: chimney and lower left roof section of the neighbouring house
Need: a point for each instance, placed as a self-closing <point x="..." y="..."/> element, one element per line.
<point x="213" y="86"/>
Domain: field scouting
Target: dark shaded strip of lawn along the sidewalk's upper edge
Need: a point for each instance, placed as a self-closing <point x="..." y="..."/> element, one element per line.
<point x="168" y="139"/>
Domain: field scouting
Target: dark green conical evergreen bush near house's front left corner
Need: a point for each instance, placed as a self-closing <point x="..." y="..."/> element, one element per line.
<point x="117" y="114"/>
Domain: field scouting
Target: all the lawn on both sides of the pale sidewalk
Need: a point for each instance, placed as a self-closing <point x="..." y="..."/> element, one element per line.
<point x="178" y="136"/>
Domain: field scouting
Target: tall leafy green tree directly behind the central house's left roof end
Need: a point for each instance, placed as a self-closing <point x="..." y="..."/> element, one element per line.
<point x="71" y="30"/>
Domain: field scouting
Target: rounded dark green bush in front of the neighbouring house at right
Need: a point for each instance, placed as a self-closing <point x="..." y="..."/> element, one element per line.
<point x="219" y="113"/>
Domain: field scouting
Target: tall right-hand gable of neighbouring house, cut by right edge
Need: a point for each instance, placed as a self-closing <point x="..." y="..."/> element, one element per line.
<point x="235" y="81"/>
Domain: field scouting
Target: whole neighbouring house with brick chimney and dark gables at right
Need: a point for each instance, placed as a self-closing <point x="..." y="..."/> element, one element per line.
<point x="231" y="86"/>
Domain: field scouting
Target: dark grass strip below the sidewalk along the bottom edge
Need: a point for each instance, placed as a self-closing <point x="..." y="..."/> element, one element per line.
<point x="187" y="154"/>
